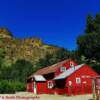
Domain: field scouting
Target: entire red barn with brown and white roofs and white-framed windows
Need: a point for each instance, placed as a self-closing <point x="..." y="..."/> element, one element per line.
<point x="65" y="77"/>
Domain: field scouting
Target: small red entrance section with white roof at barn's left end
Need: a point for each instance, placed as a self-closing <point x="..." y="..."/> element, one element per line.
<point x="37" y="84"/>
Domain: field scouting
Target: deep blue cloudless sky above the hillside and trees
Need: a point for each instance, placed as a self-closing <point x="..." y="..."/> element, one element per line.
<point x="56" y="22"/>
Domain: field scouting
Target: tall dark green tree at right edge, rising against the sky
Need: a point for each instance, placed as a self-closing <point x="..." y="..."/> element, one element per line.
<point x="89" y="43"/>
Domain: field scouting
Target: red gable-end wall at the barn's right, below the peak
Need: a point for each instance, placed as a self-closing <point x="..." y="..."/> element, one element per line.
<point x="85" y="73"/>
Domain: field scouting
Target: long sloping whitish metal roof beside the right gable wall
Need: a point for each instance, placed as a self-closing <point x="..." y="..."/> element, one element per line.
<point x="68" y="72"/>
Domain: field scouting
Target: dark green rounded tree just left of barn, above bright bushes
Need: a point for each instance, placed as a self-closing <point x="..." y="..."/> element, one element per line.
<point x="21" y="70"/>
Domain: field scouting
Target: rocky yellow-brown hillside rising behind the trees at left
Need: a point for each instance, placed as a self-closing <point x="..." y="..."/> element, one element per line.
<point x="30" y="49"/>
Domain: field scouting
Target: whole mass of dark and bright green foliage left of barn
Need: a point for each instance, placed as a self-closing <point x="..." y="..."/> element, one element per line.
<point x="13" y="78"/>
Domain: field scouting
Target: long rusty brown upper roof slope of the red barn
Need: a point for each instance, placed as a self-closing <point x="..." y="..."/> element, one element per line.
<point x="49" y="69"/>
